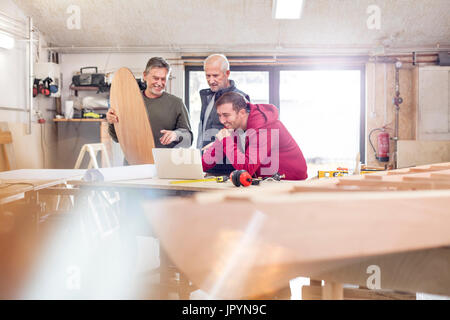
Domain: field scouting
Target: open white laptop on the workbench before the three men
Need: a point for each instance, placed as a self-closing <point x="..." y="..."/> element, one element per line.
<point x="178" y="163"/>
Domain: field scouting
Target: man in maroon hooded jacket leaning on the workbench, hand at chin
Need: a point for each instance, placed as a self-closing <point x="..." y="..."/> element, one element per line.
<point x="253" y="139"/>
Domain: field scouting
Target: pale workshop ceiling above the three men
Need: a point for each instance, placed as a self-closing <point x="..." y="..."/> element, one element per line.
<point x="242" y="25"/>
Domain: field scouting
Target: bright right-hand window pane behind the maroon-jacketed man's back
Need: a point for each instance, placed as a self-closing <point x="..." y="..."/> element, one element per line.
<point x="321" y="109"/>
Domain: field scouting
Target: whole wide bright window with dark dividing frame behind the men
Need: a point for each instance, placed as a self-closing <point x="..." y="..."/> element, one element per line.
<point x="323" y="108"/>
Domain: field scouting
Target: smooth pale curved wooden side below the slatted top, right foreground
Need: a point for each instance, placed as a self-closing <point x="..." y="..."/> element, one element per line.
<point x="260" y="244"/>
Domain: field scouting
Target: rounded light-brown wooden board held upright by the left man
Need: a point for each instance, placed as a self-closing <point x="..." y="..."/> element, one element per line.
<point x="133" y="129"/>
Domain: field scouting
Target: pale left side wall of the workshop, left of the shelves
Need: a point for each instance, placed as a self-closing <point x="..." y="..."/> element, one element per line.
<point x="26" y="151"/>
